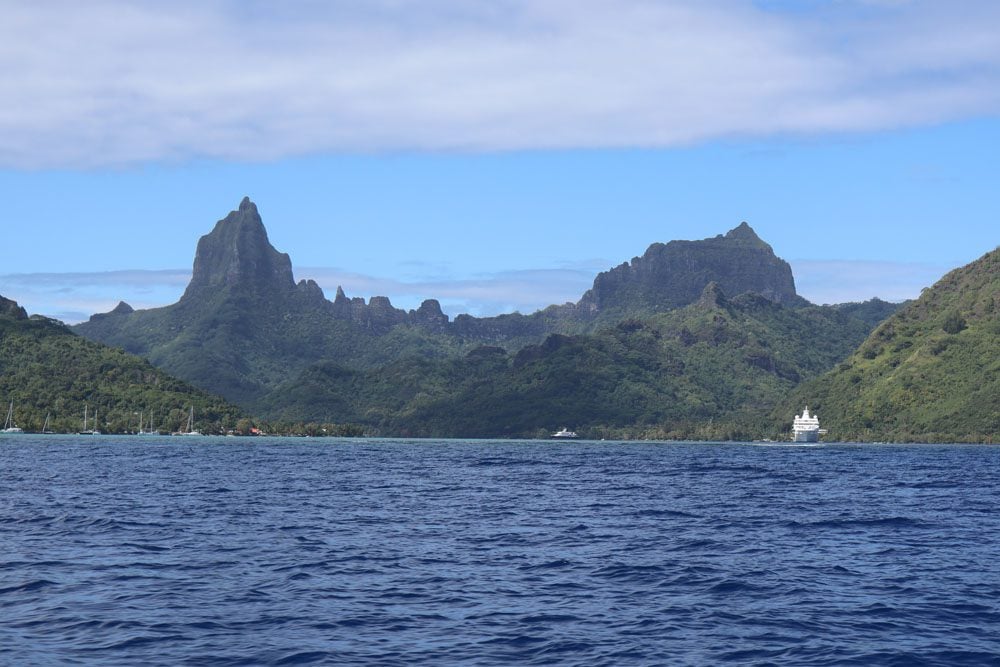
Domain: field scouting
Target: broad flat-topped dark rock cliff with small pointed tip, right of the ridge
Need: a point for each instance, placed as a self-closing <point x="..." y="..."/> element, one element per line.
<point x="674" y="274"/>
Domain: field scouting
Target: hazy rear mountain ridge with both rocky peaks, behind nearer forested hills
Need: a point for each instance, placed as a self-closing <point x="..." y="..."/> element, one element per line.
<point x="244" y="328"/>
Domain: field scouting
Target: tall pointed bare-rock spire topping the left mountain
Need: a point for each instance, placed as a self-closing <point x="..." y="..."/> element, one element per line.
<point x="238" y="254"/>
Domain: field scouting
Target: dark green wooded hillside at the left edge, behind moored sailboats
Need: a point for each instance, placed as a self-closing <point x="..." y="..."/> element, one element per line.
<point x="46" y="369"/>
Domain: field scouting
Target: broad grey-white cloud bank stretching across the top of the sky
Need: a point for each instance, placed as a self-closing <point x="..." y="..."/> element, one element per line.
<point x="122" y="81"/>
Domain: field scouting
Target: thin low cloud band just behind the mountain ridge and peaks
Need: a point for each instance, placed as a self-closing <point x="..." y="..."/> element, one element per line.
<point x="74" y="297"/>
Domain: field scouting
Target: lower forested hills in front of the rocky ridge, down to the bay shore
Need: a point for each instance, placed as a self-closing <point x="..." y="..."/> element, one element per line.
<point x="670" y="374"/>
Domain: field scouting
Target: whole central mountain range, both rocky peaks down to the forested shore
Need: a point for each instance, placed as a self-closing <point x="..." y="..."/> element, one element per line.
<point x="246" y="330"/>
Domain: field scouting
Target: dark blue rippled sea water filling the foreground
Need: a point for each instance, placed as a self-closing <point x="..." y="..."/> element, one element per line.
<point x="243" y="552"/>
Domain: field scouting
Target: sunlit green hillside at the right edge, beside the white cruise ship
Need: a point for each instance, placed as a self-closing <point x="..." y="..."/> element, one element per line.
<point x="931" y="372"/>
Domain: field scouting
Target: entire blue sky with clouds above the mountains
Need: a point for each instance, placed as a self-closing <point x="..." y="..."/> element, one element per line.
<point x="493" y="155"/>
